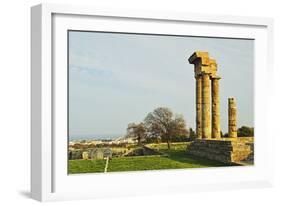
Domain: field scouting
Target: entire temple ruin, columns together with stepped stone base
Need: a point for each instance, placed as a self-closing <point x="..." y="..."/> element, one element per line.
<point x="209" y="143"/>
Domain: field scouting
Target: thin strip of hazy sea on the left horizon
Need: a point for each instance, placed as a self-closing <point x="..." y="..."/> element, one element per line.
<point x="95" y="137"/>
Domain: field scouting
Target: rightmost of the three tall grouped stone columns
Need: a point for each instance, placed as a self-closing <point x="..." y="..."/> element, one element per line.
<point x="216" y="128"/>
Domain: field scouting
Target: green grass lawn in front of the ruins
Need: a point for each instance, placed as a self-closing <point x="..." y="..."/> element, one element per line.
<point x="176" y="159"/>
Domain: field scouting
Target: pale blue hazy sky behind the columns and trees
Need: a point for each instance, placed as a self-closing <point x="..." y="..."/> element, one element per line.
<point x="116" y="79"/>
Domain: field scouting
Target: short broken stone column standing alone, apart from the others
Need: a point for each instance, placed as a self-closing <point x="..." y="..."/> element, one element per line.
<point x="232" y="118"/>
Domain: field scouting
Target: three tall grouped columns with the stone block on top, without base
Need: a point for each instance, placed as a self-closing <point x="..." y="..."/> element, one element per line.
<point x="204" y="69"/>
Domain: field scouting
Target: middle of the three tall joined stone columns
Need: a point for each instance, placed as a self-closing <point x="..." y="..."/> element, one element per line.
<point x="206" y="112"/>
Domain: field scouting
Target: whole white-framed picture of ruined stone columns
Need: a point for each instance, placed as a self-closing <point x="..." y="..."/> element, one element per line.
<point x="137" y="102"/>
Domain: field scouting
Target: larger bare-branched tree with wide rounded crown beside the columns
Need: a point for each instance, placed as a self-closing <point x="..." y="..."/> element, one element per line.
<point x="162" y="123"/>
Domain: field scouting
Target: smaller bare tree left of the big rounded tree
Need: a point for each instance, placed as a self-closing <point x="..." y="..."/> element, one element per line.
<point x="137" y="131"/>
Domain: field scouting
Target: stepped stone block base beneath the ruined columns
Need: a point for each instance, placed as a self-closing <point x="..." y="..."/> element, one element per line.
<point x="224" y="150"/>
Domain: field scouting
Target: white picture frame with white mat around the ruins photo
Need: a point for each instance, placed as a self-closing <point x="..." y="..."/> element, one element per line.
<point x="49" y="179"/>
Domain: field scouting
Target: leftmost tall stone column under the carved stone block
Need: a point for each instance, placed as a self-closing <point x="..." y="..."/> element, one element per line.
<point x="198" y="106"/>
